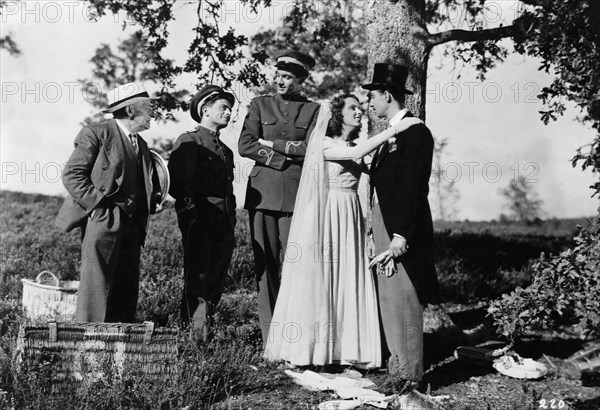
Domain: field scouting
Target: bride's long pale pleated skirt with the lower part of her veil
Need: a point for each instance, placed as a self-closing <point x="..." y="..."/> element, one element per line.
<point x="333" y="318"/>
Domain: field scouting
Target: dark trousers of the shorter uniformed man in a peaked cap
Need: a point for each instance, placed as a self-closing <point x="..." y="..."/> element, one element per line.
<point x="208" y="243"/>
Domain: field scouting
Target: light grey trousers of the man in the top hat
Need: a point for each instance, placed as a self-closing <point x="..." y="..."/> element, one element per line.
<point x="401" y="312"/>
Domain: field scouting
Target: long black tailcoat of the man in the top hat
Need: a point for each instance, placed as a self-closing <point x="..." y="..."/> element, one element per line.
<point x="400" y="175"/>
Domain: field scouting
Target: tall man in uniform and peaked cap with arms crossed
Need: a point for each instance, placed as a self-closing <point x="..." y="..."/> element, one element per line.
<point x="286" y="119"/>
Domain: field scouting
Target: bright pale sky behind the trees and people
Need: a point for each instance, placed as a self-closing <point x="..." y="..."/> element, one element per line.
<point x="493" y="128"/>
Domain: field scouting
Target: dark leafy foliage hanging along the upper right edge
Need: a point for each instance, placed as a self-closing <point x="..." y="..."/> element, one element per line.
<point x="565" y="36"/>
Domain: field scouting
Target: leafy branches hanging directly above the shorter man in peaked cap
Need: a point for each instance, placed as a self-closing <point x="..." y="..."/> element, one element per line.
<point x="213" y="56"/>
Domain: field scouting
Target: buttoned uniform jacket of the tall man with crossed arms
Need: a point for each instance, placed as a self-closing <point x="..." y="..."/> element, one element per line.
<point x="288" y="122"/>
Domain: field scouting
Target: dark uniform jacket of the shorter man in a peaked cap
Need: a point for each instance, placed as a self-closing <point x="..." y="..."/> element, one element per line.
<point x="201" y="171"/>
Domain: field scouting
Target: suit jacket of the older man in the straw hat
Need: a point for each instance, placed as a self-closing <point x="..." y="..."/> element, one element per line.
<point x="96" y="170"/>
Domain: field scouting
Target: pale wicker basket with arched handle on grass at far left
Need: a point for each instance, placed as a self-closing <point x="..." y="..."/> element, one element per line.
<point x="46" y="296"/>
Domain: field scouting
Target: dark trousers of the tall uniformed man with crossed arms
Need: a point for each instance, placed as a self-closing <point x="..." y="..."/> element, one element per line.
<point x="269" y="231"/>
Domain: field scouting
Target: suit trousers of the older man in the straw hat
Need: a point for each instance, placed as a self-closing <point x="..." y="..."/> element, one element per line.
<point x="110" y="266"/>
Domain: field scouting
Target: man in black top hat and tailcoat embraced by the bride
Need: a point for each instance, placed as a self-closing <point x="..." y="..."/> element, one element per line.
<point x="402" y="224"/>
